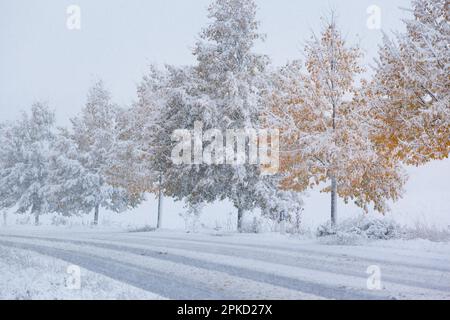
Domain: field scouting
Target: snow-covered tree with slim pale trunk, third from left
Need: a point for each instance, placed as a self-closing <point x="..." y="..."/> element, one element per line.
<point x="144" y="145"/>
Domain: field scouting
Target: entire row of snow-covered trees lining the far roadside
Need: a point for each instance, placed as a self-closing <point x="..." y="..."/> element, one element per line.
<point x="334" y="126"/>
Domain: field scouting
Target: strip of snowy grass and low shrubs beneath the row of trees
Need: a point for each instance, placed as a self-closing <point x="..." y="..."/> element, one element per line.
<point x="353" y="231"/>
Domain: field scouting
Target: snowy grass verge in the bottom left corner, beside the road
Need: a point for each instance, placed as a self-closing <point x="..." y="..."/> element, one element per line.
<point x="31" y="276"/>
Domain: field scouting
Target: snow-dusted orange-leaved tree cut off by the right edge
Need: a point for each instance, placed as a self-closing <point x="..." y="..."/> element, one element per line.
<point x="410" y="92"/>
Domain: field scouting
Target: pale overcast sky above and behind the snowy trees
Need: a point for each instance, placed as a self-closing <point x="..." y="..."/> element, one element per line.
<point x="40" y="59"/>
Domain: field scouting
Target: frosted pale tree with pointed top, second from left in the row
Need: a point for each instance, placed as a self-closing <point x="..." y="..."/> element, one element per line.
<point x="83" y="158"/>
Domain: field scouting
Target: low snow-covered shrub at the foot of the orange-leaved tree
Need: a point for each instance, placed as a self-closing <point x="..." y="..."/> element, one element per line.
<point x="353" y="230"/>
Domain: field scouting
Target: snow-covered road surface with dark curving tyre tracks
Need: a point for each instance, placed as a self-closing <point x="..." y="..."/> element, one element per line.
<point x="207" y="266"/>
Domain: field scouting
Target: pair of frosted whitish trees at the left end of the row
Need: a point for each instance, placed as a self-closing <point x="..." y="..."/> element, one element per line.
<point x="66" y="170"/>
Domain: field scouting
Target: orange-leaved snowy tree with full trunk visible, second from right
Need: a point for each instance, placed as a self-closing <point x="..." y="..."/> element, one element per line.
<point x="326" y="127"/>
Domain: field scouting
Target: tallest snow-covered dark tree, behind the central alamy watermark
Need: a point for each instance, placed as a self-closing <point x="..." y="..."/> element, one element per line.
<point x="222" y="92"/>
